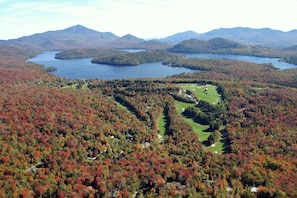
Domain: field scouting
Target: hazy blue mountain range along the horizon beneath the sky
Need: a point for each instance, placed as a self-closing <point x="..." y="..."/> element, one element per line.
<point x="81" y="37"/>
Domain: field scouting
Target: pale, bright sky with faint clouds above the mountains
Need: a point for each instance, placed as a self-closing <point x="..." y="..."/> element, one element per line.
<point x="143" y="18"/>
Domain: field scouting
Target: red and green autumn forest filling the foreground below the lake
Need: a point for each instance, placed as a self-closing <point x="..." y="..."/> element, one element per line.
<point x="128" y="138"/>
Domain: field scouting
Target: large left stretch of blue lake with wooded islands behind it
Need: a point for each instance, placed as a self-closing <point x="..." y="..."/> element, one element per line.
<point x="83" y="68"/>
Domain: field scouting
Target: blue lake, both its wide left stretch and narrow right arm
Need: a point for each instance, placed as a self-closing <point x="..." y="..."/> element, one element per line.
<point x="83" y="68"/>
